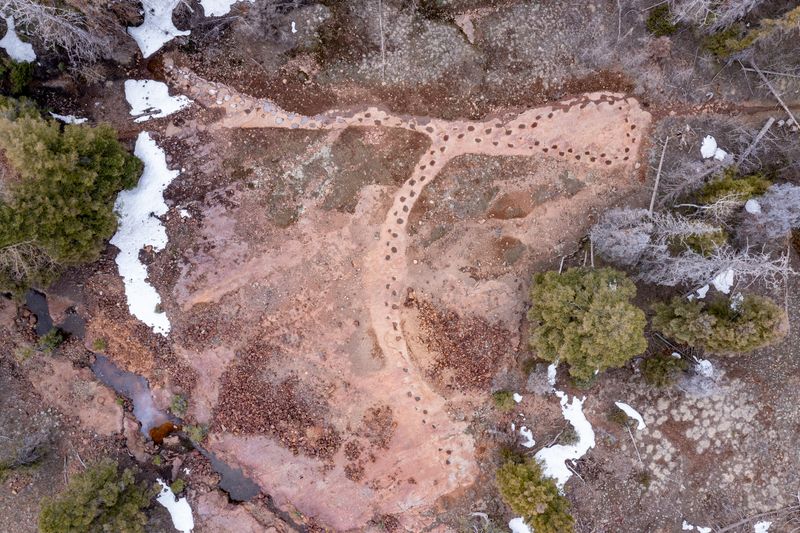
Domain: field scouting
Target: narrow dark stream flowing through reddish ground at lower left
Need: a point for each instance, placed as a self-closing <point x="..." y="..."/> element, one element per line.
<point x="233" y="481"/>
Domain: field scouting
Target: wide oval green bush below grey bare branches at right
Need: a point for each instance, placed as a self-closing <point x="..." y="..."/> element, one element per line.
<point x="717" y="326"/>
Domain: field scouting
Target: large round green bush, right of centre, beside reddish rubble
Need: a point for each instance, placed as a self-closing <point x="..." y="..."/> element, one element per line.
<point x="585" y="318"/>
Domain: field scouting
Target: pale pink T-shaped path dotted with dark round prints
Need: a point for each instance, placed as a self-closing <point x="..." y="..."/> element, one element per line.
<point x="602" y="130"/>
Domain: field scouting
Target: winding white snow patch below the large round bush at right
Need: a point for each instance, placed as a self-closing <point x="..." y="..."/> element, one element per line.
<point x="553" y="458"/>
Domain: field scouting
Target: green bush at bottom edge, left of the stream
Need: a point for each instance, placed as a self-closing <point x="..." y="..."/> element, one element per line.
<point x="100" y="499"/>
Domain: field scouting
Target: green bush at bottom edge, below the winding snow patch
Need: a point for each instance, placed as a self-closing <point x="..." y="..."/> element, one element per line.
<point x="534" y="497"/>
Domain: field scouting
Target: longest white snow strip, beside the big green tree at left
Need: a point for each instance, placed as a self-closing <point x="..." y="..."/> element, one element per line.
<point x="138" y="227"/>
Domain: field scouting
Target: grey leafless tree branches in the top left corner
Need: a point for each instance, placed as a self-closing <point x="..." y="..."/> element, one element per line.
<point x="58" y="29"/>
